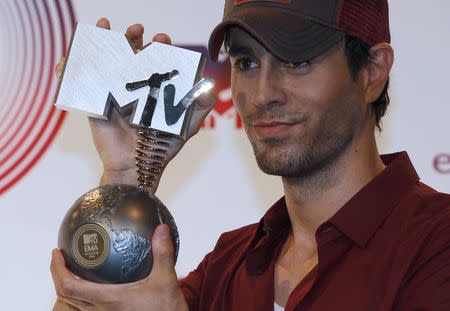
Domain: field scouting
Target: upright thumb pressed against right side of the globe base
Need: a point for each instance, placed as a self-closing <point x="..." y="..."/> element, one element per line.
<point x="163" y="255"/>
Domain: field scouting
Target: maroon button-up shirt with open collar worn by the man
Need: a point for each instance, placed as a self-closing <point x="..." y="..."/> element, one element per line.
<point x="388" y="248"/>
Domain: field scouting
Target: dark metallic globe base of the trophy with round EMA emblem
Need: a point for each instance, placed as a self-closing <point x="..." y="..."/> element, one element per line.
<point x="105" y="237"/>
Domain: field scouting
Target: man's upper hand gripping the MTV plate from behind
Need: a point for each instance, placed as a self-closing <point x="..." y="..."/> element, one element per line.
<point x="115" y="140"/>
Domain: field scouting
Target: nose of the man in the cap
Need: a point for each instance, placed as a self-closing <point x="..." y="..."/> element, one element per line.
<point x="268" y="90"/>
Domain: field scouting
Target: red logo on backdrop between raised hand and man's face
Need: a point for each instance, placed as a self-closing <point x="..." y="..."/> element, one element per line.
<point x="220" y="71"/>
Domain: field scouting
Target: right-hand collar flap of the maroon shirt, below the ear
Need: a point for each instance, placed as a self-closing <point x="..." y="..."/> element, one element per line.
<point x="360" y="217"/>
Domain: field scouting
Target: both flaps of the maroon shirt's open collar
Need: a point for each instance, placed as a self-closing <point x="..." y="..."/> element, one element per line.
<point x="358" y="219"/>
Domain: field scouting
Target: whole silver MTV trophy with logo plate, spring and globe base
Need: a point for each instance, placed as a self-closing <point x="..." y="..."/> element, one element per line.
<point x="106" y="235"/>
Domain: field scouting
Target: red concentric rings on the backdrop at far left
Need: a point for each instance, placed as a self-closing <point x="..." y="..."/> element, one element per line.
<point x="37" y="37"/>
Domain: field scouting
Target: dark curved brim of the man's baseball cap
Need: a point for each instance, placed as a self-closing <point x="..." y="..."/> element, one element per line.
<point x="287" y="36"/>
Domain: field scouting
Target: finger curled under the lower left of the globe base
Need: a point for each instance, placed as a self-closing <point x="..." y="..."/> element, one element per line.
<point x="69" y="287"/>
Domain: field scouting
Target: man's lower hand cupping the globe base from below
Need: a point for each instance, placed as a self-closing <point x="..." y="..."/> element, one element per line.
<point x="158" y="291"/>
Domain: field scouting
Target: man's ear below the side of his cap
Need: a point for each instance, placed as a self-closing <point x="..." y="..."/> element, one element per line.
<point x="377" y="70"/>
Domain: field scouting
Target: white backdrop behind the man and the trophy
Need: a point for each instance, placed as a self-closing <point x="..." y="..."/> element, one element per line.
<point x="214" y="185"/>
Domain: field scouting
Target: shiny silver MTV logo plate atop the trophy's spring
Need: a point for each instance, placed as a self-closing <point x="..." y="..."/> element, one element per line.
<point x="153" y="88"/>
